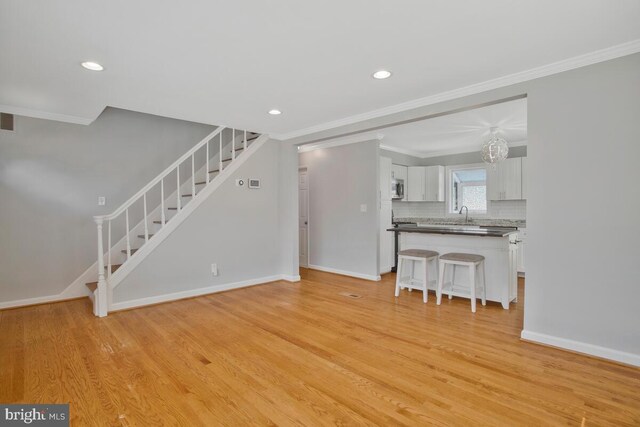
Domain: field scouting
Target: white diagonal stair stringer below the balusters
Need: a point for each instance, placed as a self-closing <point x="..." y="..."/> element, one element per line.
<point x="118" y="276"/>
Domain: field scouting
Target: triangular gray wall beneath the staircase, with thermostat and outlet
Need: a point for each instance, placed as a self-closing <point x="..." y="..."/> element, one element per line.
<point x="237" y="228"/>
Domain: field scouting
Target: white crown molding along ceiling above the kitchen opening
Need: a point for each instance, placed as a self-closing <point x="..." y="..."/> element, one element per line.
<point x="602" y="55"/>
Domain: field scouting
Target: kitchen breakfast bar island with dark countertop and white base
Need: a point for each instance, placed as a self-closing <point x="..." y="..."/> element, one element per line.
<point x="498" y="245"/>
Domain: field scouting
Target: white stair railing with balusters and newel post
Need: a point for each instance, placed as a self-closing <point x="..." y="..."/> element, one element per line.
<point x="202" y="148"/>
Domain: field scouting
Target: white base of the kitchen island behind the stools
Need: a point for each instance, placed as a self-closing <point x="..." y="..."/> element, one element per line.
<point x="500" y="253"/>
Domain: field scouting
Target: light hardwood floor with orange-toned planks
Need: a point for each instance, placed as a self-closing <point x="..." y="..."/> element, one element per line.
<point x="305" y="353"/>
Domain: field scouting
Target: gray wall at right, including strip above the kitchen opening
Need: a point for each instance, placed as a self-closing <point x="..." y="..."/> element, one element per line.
<point x="583" y="274"/>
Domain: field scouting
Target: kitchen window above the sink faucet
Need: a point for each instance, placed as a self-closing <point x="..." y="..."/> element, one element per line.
<point x="467" y="186"/>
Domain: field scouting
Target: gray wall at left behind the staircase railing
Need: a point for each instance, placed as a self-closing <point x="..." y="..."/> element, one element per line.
<point x="51" y="174"/>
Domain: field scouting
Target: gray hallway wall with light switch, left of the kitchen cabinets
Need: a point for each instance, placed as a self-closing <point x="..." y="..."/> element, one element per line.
<point x="340" y="180"/>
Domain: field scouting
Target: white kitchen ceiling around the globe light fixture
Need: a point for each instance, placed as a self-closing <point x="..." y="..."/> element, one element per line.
<point x="461" y="132"/>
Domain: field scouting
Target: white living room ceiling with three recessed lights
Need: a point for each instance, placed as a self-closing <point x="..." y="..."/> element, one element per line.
<point x="230" y="62"/>
